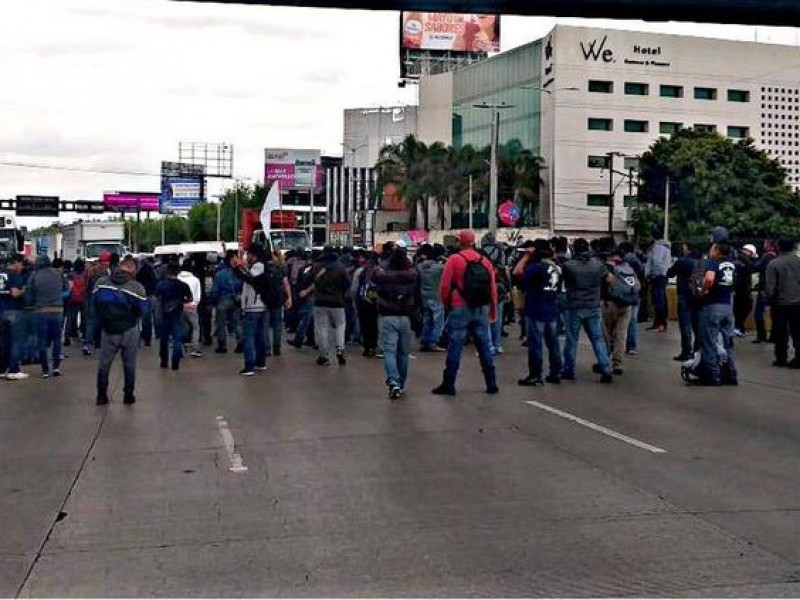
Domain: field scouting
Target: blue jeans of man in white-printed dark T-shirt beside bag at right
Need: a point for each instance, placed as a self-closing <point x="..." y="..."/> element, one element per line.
<point x="716" y="336"/>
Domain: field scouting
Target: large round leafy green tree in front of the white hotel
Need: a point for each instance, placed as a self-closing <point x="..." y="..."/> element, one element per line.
<point x="717" y="181"/>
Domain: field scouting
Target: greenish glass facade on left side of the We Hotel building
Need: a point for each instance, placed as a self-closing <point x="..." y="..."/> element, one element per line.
<point x="511" y="78"/>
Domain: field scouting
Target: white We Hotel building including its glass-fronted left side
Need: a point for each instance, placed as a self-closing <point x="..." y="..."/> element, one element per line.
<point x="579" y="94"/>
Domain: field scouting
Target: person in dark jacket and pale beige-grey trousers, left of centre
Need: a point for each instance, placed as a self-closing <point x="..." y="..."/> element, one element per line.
<point x="331" y="285"/>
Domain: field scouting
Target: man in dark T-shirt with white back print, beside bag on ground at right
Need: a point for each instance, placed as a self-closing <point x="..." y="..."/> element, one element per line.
<point x="717" y="363"/>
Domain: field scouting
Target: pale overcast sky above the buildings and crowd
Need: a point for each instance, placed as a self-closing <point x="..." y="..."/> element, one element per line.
<point x="116" y="84"/>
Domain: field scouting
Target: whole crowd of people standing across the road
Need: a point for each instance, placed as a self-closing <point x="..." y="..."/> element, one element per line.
<point x="383" y="300"/>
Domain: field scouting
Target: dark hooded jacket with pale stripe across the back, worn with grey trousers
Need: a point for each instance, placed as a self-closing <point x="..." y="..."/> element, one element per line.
<point x="119" y="301"/>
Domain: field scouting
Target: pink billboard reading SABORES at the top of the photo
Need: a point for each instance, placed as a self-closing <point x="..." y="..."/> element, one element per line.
<point x="450" y="32"/>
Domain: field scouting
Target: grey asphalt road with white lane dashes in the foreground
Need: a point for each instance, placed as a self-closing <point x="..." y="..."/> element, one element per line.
<point x="336" y="492"/>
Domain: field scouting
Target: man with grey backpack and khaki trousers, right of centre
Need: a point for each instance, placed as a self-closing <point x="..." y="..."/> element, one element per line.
<point x="620" y="298"/>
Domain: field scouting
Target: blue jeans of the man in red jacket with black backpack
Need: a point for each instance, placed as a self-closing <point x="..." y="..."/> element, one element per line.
<point x="475" y="322"/>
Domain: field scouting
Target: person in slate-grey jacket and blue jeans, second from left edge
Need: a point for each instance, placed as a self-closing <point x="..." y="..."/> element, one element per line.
<point x="44" y="295"/>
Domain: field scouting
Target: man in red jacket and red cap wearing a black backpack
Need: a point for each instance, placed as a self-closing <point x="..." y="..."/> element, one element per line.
<point x="469" y="291"/>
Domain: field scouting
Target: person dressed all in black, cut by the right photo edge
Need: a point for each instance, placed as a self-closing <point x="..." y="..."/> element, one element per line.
<point x="783" y="293"/>
